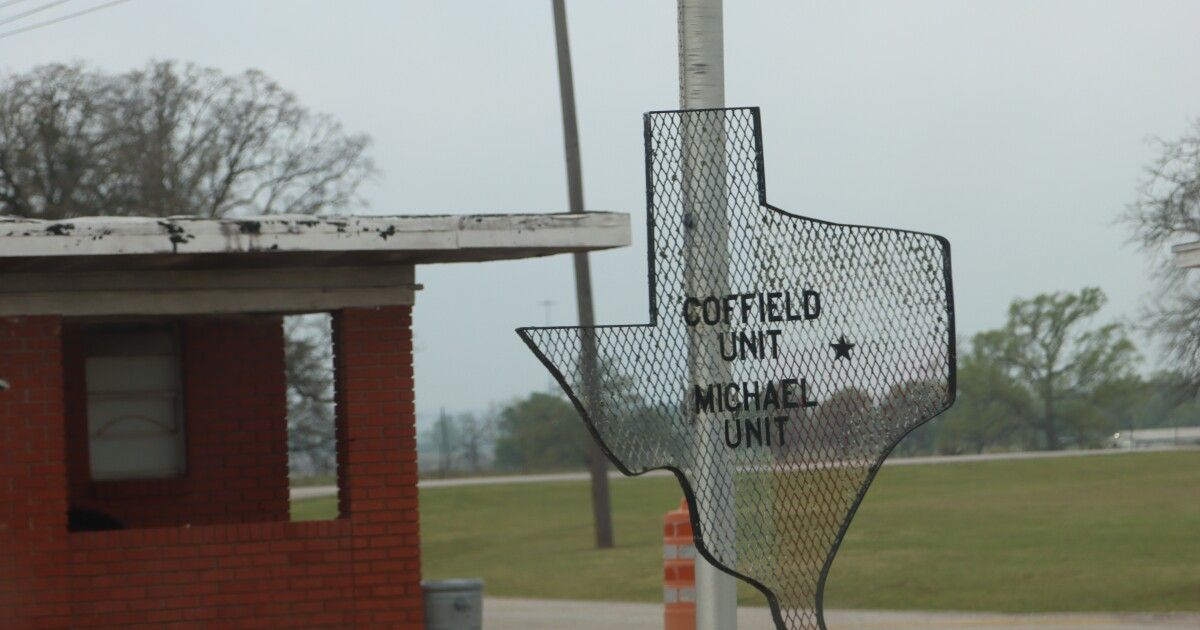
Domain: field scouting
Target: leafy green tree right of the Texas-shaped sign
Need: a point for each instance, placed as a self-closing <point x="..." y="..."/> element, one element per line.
<point x="1066" y="365"/>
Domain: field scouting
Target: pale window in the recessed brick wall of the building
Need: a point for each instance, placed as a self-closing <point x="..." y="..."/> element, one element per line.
<point x="135" y="404"/>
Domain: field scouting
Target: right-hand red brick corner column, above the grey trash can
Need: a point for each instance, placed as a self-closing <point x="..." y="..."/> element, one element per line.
<point x="377" y="463"/>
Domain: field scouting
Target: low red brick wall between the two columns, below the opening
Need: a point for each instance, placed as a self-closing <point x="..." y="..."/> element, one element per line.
<point x="253" y="575"/>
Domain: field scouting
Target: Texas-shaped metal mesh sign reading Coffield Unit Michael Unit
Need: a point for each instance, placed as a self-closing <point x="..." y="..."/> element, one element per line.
<point x="784" y="359"/>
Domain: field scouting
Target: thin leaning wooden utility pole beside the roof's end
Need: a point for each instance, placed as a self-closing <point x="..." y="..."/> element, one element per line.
<point x="598" y="465"/>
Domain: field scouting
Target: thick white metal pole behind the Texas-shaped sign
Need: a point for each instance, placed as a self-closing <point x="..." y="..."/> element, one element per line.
<point x="703" y="86"/>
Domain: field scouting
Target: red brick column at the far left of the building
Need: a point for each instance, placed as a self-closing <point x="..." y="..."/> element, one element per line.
<point x="33" y="475"/>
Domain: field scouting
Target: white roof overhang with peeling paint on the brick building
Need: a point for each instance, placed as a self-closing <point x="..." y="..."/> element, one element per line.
<point x="178" y="266"/>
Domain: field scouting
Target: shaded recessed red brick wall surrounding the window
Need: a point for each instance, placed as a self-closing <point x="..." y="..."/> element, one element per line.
<point x="236" y="418"/>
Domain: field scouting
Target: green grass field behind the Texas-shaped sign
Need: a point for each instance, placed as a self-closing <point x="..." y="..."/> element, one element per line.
<point x="1114" y="533"/>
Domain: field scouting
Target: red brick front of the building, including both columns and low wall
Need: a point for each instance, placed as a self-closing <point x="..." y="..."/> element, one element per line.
<point x="359" y="572"/>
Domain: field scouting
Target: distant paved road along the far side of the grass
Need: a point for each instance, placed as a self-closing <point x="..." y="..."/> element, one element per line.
<point x="328" y="491"/>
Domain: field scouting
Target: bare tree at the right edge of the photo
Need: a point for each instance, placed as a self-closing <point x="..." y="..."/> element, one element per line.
<point x="1167" y="212"/>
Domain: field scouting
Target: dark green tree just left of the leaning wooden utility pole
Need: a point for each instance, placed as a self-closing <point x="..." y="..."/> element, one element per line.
<point x="541" y="433"/>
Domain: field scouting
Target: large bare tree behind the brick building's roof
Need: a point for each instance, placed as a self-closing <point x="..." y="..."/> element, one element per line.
<point x="175" y="139"/>
